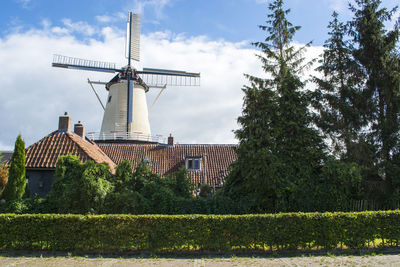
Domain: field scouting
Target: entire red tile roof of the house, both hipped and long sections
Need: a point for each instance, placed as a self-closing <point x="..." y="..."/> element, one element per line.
<point x="164" y="159"/>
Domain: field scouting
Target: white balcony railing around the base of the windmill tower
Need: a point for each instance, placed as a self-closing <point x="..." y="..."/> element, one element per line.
<point x="106" y="136"/>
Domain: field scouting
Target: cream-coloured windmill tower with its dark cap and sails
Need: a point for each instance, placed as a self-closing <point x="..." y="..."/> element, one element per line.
<point x="126" y="112"/>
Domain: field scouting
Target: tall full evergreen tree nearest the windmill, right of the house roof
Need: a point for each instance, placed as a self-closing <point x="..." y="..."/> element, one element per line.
<point x="280" y="153"/>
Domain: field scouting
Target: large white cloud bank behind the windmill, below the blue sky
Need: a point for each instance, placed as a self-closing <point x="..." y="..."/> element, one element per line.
<point x="34" y="94"/>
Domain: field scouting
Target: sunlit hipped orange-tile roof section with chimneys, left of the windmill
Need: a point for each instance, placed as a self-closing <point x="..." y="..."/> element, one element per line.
<point x="45" y="153"/>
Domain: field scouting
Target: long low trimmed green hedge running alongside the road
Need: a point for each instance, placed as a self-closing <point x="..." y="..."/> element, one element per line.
<point x="200" y="232"/>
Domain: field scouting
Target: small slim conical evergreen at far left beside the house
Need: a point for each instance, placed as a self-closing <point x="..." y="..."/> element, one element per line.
<point x="15" y="187"/>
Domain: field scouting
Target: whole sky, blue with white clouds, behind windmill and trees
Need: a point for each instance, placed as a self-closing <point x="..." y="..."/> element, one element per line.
<point x="212" y="37"/>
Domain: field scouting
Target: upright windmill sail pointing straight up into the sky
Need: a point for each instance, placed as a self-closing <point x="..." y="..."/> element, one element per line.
<point x="133" y="37"/>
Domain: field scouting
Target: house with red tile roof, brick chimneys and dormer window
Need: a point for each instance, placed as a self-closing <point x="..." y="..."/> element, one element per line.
<point x="205" y="163"/>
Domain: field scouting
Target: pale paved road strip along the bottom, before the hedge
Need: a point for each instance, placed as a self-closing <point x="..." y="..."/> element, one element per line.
<point x="383" y="260"/>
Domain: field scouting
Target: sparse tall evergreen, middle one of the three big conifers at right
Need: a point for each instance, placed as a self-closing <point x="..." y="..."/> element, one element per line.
<point x="337" y="97"/>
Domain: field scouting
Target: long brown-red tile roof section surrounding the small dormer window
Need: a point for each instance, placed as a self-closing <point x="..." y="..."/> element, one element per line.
<point x="166" y="159"/>
